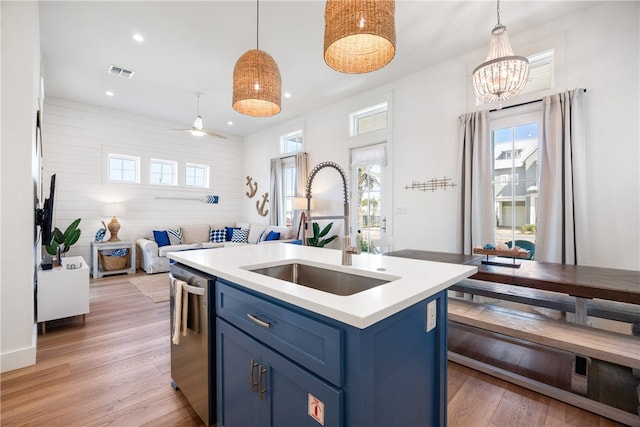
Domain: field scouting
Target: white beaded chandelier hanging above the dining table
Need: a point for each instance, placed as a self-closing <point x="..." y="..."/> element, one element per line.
<point x="503" y="75"/>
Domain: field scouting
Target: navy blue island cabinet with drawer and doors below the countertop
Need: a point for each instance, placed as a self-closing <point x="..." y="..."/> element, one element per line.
<point x="281" y="365"/>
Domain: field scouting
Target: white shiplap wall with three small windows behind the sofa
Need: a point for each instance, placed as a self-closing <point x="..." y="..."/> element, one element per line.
<point x="76" y="141"/>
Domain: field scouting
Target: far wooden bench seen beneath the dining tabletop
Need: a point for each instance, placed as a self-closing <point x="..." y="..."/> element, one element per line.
<point x="612" y="310"/>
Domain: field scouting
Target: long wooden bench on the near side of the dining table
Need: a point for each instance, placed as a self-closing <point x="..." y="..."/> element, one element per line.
<point x="583" y="341"/>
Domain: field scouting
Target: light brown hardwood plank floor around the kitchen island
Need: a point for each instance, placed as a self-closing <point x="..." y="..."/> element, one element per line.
<point x="116" y="371"/>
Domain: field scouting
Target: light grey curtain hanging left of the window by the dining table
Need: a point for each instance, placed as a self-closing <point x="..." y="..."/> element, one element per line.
<point x="476" y="215"/>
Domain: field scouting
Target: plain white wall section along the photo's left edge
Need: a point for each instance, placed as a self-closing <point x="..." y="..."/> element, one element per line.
<point x="20" y="90"/>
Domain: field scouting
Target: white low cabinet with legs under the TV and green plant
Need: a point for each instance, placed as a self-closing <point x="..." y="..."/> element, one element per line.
<point x="62" y="291"/>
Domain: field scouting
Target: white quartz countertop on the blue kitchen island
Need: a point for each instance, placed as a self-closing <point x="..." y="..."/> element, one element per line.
<point x="413" y="280"/>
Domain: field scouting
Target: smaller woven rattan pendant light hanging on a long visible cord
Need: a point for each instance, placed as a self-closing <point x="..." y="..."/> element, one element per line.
<point x="256" y="81"/>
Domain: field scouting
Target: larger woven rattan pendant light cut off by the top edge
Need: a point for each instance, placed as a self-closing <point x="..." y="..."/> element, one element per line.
<point x="359" y="35"/>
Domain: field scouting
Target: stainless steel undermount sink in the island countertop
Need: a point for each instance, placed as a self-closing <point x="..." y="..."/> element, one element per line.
<point x="323" y="279"/>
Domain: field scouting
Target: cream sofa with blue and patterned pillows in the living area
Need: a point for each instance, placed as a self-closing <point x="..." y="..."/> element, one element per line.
<point x="155" y="244"/>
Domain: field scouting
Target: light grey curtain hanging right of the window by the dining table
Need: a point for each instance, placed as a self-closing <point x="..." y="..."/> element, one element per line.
<point x="562" y="230"/>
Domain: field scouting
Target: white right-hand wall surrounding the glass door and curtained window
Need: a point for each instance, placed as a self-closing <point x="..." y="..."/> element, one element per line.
<point x="426" y="106"/>
